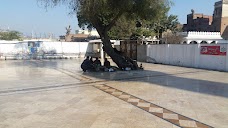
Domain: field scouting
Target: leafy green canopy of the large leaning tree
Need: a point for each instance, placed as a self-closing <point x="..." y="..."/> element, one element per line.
<point x="118" y="18"/>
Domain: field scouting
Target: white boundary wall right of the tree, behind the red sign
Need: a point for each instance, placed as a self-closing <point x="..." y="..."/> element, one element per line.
<point x="187" y="56"/>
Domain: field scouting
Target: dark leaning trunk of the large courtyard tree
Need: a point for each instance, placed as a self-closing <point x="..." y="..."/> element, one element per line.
<point x="121" y="61"/>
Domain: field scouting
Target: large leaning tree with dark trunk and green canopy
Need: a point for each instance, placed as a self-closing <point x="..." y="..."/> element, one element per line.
<point x="104" y="14"/>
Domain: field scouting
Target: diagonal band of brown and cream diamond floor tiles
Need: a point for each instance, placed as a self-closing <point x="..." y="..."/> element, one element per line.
<point x="170" y="116"/>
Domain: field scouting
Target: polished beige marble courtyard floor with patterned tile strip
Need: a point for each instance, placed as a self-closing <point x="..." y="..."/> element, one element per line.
<point x="56" y="93"/>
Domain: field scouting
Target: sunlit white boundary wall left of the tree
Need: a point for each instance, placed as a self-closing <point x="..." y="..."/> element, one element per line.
<point x="21" y="50"/>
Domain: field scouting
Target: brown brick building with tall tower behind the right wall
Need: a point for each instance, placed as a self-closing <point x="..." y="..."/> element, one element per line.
<point x="205" y="23"/>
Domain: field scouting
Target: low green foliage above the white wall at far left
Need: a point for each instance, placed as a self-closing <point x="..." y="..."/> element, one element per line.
<point x="10" y="35"/>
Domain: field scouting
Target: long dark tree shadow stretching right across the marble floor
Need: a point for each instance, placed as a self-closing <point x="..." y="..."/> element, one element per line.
<point x="168" y="80"/>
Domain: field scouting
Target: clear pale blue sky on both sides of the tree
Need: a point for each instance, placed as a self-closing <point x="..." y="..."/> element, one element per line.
<point x="29" y="16"/>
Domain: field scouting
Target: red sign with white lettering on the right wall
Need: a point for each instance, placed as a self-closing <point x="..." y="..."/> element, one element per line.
<point x="213" y="50"/>
